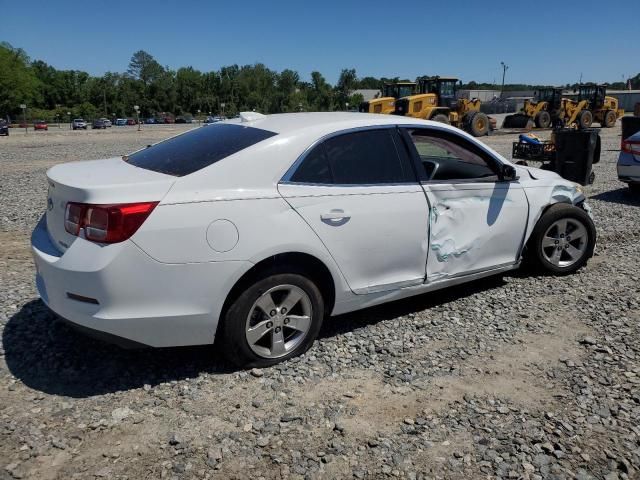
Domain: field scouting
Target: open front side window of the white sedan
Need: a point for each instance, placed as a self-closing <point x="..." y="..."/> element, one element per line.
<point x="445" y="158"/>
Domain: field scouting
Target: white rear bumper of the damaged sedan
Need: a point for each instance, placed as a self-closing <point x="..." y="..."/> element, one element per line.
<point x="122" y="292"/>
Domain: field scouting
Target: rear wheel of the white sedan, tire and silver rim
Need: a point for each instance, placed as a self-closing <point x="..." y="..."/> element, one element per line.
<point x="244" y="313"/>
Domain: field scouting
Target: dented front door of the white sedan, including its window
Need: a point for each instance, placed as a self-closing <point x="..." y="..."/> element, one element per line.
<point x="477" y="220"/>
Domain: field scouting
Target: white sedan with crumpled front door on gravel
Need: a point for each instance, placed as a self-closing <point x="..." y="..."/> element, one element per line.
<point x="250" y="231"/>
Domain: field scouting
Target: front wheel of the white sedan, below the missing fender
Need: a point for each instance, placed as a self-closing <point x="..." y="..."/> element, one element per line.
<point x="542" y="249"/>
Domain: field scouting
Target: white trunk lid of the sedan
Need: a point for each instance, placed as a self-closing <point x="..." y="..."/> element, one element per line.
<point x="101" y="182"/>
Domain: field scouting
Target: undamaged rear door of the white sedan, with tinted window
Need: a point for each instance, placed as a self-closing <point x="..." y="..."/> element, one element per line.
<point x="359" y="193"/>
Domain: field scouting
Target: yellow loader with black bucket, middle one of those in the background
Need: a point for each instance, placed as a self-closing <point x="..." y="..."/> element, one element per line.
<point x="544" y="110"/>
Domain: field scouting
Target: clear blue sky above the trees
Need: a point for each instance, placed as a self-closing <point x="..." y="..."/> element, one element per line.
<point x="378" y="38"/>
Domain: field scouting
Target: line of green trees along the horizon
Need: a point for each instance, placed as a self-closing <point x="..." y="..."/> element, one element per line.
<point x="49" y="92"/>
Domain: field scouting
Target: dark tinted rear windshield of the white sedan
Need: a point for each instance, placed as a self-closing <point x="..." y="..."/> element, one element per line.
<point x="204" y="146"/>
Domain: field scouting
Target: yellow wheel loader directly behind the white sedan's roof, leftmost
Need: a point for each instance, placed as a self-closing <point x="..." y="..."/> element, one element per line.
<point x="436" y="100"/>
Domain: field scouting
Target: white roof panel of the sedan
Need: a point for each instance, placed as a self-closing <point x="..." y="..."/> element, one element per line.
<point x="285" y="123"/>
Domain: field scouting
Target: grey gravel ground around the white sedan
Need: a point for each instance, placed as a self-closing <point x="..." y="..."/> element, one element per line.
<point x="518" y="376"/>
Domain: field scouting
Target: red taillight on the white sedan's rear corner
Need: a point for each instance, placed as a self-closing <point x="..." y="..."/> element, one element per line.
<point x="106" y="223"/>
